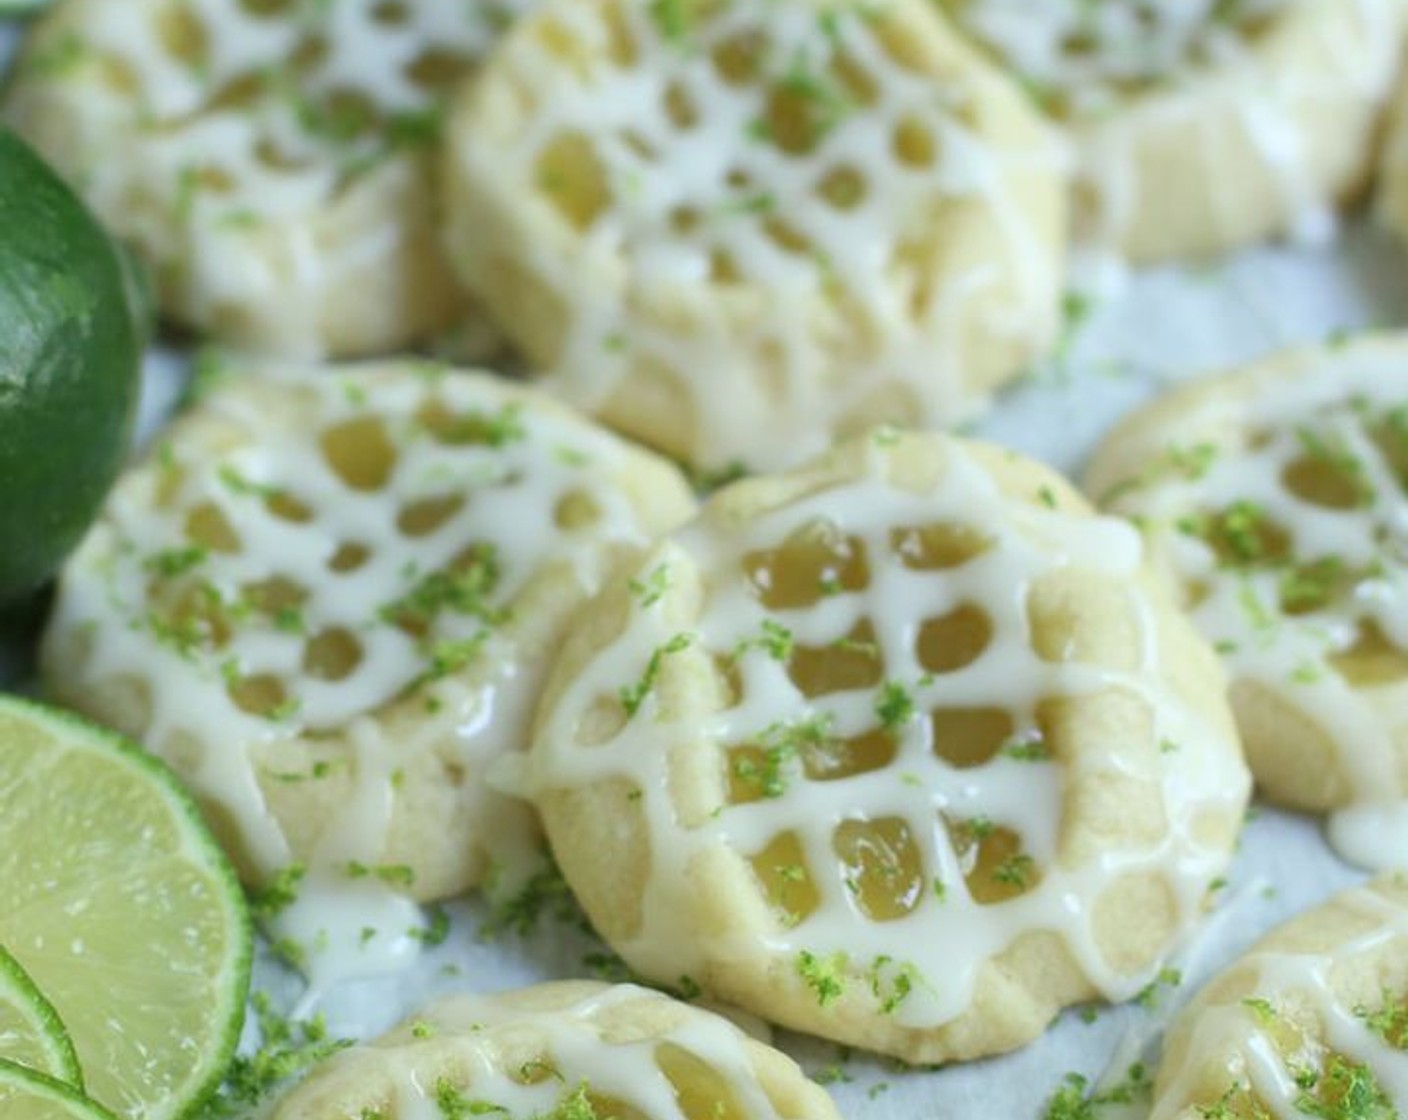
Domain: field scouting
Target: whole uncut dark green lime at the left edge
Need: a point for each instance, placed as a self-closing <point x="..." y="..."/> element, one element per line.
<point x="73" y="353"/>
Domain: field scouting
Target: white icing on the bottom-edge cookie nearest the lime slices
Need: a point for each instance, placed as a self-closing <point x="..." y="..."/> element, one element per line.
<point x="589" y="1045"/>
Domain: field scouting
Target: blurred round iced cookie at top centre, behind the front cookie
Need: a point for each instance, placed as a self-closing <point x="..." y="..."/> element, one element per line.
<point x="712" y="223"/>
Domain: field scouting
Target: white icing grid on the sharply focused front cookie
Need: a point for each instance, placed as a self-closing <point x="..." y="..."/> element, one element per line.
<point x="943" y="942"/>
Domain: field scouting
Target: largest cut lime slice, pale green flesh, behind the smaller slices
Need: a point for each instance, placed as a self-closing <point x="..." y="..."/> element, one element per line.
<point x="123" y="911"/>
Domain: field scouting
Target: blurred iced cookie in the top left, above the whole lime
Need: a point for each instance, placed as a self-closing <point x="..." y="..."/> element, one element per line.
<point x="271" y="158"/>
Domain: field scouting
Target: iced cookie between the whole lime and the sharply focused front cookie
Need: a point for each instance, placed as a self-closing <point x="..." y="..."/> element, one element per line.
<point x="326" y="598"/>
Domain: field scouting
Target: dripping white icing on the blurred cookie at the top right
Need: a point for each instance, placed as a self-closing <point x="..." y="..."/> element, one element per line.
<point x="1119" y="68"/>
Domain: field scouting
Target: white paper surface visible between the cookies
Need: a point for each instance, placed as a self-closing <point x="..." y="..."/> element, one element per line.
<point x="1167" y="326"/>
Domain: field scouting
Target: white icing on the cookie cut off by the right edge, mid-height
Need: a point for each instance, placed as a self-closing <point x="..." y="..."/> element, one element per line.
<point x="1238" y="449"/>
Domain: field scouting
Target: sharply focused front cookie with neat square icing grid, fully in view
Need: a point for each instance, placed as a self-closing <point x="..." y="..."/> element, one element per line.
<point x="906" y="749"/>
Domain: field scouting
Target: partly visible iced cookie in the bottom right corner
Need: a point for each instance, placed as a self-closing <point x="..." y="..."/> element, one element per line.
<point x="1313" y="1022"/>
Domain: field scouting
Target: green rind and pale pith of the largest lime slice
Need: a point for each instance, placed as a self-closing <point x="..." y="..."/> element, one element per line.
<point x="229" y="987"/>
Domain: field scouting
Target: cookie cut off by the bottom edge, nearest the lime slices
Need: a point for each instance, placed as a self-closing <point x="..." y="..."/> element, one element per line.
<point x="561" y="1052"/>
